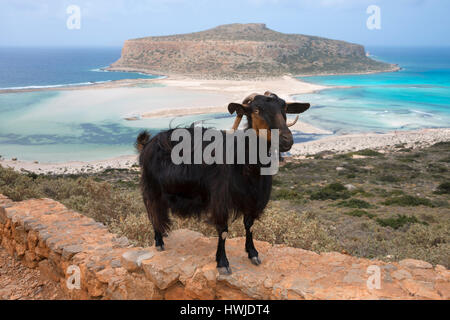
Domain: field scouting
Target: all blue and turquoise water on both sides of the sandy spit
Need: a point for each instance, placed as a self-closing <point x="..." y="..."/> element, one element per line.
<point x="59" y="126"/>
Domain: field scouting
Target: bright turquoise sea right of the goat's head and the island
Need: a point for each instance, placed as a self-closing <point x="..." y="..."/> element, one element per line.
<point x="416" y="97"/>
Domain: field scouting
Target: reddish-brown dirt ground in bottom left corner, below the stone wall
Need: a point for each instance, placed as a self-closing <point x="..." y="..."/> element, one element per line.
<point x="18" y="282"/>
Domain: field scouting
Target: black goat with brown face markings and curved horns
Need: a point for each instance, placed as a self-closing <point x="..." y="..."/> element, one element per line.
<point x="221" y="191"/>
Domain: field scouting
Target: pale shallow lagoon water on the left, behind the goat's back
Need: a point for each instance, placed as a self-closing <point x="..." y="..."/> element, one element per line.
<point x="59" y="126"/>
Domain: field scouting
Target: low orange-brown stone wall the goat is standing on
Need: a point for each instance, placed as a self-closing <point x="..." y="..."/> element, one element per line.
<point x="63" y="244"/>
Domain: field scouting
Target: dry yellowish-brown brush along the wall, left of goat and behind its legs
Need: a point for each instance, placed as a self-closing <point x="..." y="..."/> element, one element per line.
<point x="122" y="210"/>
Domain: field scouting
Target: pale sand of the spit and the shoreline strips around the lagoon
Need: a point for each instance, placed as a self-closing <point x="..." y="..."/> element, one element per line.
<point x="213" y="96"/>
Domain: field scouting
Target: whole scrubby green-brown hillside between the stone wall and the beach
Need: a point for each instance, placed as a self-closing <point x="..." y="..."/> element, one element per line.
<point x="368" y="204"/>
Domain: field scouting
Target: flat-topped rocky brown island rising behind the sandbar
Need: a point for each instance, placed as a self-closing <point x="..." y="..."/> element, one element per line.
<point x="244" y="51"/>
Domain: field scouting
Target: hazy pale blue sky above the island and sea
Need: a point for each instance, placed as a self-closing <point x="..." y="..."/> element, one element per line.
<point x="111" y="22"/>
